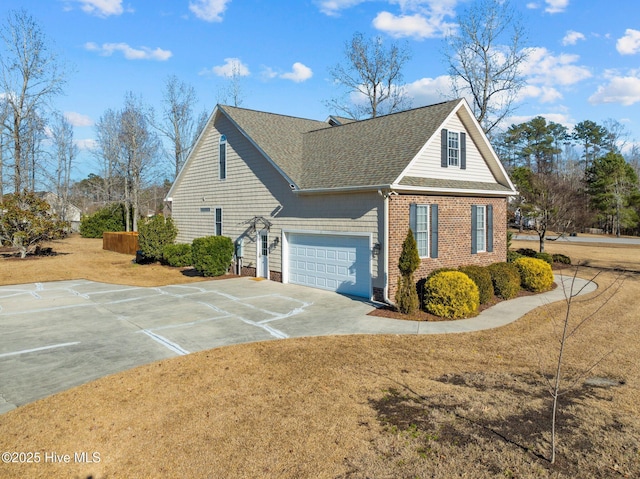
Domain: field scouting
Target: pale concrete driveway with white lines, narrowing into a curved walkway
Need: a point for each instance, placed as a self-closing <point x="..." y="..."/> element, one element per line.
<point x="54" y="336"/>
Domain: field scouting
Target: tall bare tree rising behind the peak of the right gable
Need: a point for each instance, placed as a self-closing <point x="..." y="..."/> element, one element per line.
<point x="485" y="57"/>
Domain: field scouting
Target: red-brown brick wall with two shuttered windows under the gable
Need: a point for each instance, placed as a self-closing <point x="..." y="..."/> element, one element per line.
<point x="454" y="229"/>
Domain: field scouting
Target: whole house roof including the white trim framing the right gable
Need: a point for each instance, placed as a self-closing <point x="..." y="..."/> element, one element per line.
<point x="343" y="153"/>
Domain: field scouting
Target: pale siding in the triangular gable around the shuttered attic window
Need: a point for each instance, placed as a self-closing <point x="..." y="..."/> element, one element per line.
<point x="428" y="162"/>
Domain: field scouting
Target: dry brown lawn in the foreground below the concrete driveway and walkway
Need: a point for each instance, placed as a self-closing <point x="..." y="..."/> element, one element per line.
<point x="466" y="405"/>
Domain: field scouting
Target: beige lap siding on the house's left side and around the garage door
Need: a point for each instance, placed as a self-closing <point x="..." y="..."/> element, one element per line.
<point x="253" y="187"/>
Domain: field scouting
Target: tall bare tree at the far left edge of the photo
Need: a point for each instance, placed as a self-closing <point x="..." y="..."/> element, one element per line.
<point x="29" y="75"/>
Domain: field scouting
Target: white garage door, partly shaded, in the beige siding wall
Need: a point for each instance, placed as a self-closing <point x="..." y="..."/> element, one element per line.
<point x="337" y="263"/>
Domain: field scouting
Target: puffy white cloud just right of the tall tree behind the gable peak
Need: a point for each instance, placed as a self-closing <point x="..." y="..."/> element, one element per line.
<point x="544" y="68"/>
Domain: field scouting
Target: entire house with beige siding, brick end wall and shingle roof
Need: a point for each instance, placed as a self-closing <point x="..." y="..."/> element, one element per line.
<point x="328" y="204"/>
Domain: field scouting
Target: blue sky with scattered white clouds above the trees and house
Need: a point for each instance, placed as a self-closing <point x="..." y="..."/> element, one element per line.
<point x="584" y="62"/>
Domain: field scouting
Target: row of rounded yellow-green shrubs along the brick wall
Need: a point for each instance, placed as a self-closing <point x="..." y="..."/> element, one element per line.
<point x="458" y="293"/>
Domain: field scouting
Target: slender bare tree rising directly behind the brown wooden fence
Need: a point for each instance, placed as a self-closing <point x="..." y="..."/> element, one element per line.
<point x="139" y="146"/>
